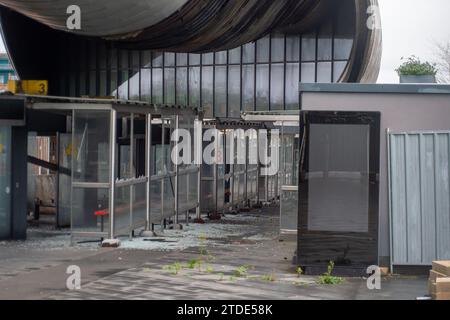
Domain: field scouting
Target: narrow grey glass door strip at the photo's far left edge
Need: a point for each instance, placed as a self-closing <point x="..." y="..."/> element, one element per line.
<point x="5" y="182"/>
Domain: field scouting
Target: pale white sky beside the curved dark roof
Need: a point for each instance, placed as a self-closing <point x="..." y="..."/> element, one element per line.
<point x="410" y="27"/>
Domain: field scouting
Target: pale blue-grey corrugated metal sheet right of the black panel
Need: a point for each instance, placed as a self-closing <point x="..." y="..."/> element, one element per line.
<point x="419" y="197"/>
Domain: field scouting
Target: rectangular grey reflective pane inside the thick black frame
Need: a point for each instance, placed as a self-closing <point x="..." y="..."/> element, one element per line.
<point x="338" y="188"/>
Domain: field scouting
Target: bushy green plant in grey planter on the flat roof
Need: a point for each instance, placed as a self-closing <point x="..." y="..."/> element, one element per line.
<point x="415" y="71"/>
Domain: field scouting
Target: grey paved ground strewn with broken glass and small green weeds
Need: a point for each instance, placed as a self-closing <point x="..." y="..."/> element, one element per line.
<point x="241" y="258"/>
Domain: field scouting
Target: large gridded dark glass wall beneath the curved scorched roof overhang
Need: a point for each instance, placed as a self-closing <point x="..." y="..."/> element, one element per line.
<point x="262" y="75"/>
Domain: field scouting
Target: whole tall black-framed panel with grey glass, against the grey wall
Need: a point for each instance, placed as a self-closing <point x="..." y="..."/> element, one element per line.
<point x="338" y="191"/>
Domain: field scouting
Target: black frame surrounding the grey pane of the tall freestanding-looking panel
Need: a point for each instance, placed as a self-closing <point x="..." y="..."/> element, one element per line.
<point x="324" y="243"/>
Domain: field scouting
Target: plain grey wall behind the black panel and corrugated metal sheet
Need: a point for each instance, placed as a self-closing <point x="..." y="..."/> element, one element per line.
<point x="399" y="112"/>
